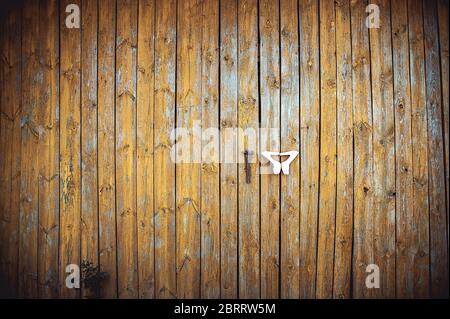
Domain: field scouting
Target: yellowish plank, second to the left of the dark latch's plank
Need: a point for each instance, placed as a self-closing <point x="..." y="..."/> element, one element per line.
<point x="210" y="199"/>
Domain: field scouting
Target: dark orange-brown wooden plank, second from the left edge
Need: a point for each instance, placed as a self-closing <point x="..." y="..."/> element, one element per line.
<point x="29" y="210"/>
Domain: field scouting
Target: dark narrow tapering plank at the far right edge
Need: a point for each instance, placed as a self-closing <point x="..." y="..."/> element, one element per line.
<point x="443" y="7"/>
